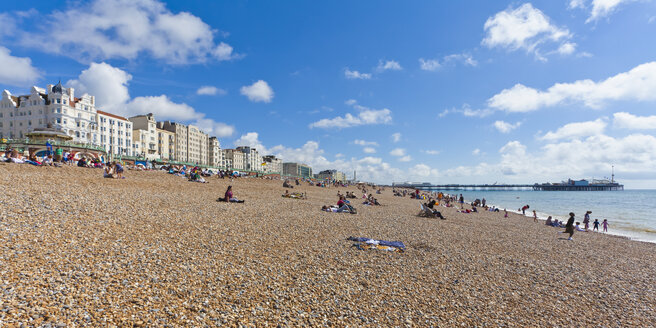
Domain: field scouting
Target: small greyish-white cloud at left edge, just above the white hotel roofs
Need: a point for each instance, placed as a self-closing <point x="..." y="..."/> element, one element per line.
<point x="17" y="71"/>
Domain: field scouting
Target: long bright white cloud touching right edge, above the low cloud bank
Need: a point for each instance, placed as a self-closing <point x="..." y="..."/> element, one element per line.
<point x="638" y="84"/>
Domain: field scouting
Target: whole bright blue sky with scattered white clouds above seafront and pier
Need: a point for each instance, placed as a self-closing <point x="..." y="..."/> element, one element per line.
<point x="448" y="92"/>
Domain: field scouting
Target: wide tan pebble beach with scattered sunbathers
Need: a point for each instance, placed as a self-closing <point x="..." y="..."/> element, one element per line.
<point x="154" y="250"/>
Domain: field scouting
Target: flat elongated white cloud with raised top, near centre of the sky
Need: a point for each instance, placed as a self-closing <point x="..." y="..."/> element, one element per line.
<point x="366" y="116"/>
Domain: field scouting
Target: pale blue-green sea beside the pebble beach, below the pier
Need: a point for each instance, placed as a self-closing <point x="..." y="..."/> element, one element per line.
<point x="630" y="213"/>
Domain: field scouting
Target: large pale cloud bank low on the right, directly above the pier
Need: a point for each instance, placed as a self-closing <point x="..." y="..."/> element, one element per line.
<point x="633" y="155"/>
